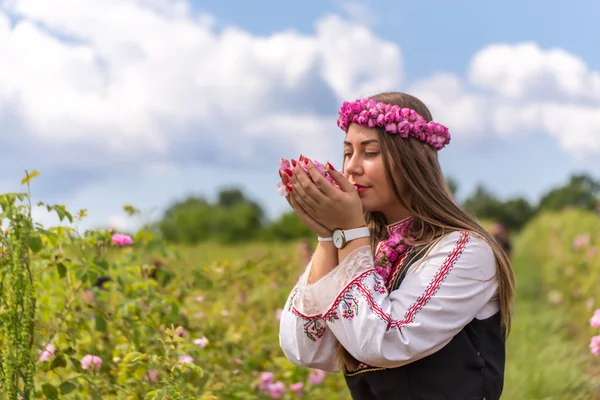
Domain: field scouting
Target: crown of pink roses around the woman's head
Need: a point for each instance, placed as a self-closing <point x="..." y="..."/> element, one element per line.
<point x="393" y="119"/>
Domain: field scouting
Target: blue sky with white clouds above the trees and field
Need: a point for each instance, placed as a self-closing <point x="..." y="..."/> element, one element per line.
<point x="146" y="102"/>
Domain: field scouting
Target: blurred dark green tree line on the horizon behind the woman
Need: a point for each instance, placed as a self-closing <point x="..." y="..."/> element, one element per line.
<point x="235" y="218"/>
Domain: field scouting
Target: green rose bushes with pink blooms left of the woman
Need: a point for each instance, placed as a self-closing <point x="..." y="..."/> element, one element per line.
<point x="101" y="314"/>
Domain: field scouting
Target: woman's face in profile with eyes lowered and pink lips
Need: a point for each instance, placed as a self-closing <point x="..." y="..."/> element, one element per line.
<point x="364" y="167"/>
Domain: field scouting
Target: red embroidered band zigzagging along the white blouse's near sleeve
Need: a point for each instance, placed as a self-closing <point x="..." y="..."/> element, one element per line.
<point x="430" y="291"/>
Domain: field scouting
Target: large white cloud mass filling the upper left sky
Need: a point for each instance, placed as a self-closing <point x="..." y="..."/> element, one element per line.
<point x="145" y="77"/>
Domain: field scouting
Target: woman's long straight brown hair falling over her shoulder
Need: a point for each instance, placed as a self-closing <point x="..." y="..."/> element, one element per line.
<point x="432" y="207"/>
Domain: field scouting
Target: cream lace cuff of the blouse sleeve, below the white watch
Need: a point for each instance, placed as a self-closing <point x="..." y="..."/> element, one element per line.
<point x="314" y="299"/>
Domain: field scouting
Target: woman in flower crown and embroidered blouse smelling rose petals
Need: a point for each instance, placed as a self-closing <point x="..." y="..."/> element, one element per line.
<point x="405" y="292"/>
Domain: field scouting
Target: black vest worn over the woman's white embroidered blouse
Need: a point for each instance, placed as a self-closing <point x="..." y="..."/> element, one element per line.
<point x="470" y="367"/>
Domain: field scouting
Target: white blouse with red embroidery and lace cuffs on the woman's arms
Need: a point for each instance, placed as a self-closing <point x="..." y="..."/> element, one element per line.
<point x="440" y="294"/>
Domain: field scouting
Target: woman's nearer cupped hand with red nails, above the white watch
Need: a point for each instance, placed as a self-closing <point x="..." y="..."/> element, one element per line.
<point x="320" y="200"/>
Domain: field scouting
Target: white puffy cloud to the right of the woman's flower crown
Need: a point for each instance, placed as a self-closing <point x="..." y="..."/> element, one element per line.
<point x="511" y="91"/>
